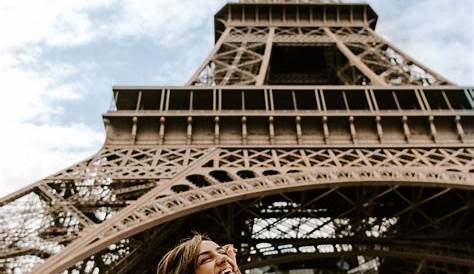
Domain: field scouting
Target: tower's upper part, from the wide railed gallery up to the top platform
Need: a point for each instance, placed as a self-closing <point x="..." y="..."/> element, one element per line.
<point x="309" y="73"/>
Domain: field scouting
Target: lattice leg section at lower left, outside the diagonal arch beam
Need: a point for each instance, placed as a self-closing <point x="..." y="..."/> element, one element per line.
<point x="37" y="222"/>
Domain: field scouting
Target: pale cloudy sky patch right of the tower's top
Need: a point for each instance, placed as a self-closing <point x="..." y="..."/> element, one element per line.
<point x="437" y="33"/>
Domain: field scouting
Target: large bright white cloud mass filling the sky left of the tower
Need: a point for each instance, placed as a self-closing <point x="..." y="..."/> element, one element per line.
<point x="33" y="143"/>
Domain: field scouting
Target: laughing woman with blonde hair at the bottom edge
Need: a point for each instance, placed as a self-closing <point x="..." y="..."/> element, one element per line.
<point x="199" y="255"/>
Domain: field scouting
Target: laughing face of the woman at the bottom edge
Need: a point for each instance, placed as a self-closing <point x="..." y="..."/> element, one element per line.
<point x="215" y="259"/>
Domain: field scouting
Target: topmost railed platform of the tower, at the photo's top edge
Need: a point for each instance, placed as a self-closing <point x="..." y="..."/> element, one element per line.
<point x="294" y="13"/>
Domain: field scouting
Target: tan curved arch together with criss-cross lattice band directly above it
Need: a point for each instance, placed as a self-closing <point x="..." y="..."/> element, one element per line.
<point x="180" y="196"/>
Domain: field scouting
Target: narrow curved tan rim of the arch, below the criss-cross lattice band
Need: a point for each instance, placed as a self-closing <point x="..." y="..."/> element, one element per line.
<point x="148" y="214"/>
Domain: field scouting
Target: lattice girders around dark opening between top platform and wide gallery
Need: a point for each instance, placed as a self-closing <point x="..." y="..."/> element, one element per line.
<point x="374" y="57"/>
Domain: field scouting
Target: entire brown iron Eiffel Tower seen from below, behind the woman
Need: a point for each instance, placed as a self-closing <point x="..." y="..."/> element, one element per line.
<point x="304" y="138"/>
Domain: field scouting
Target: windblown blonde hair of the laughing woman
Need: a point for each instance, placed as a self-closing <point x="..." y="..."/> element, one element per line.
<point x="183" y="258"/>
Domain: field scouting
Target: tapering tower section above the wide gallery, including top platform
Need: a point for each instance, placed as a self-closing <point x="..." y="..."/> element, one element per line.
<point x="305" y="42"/>
